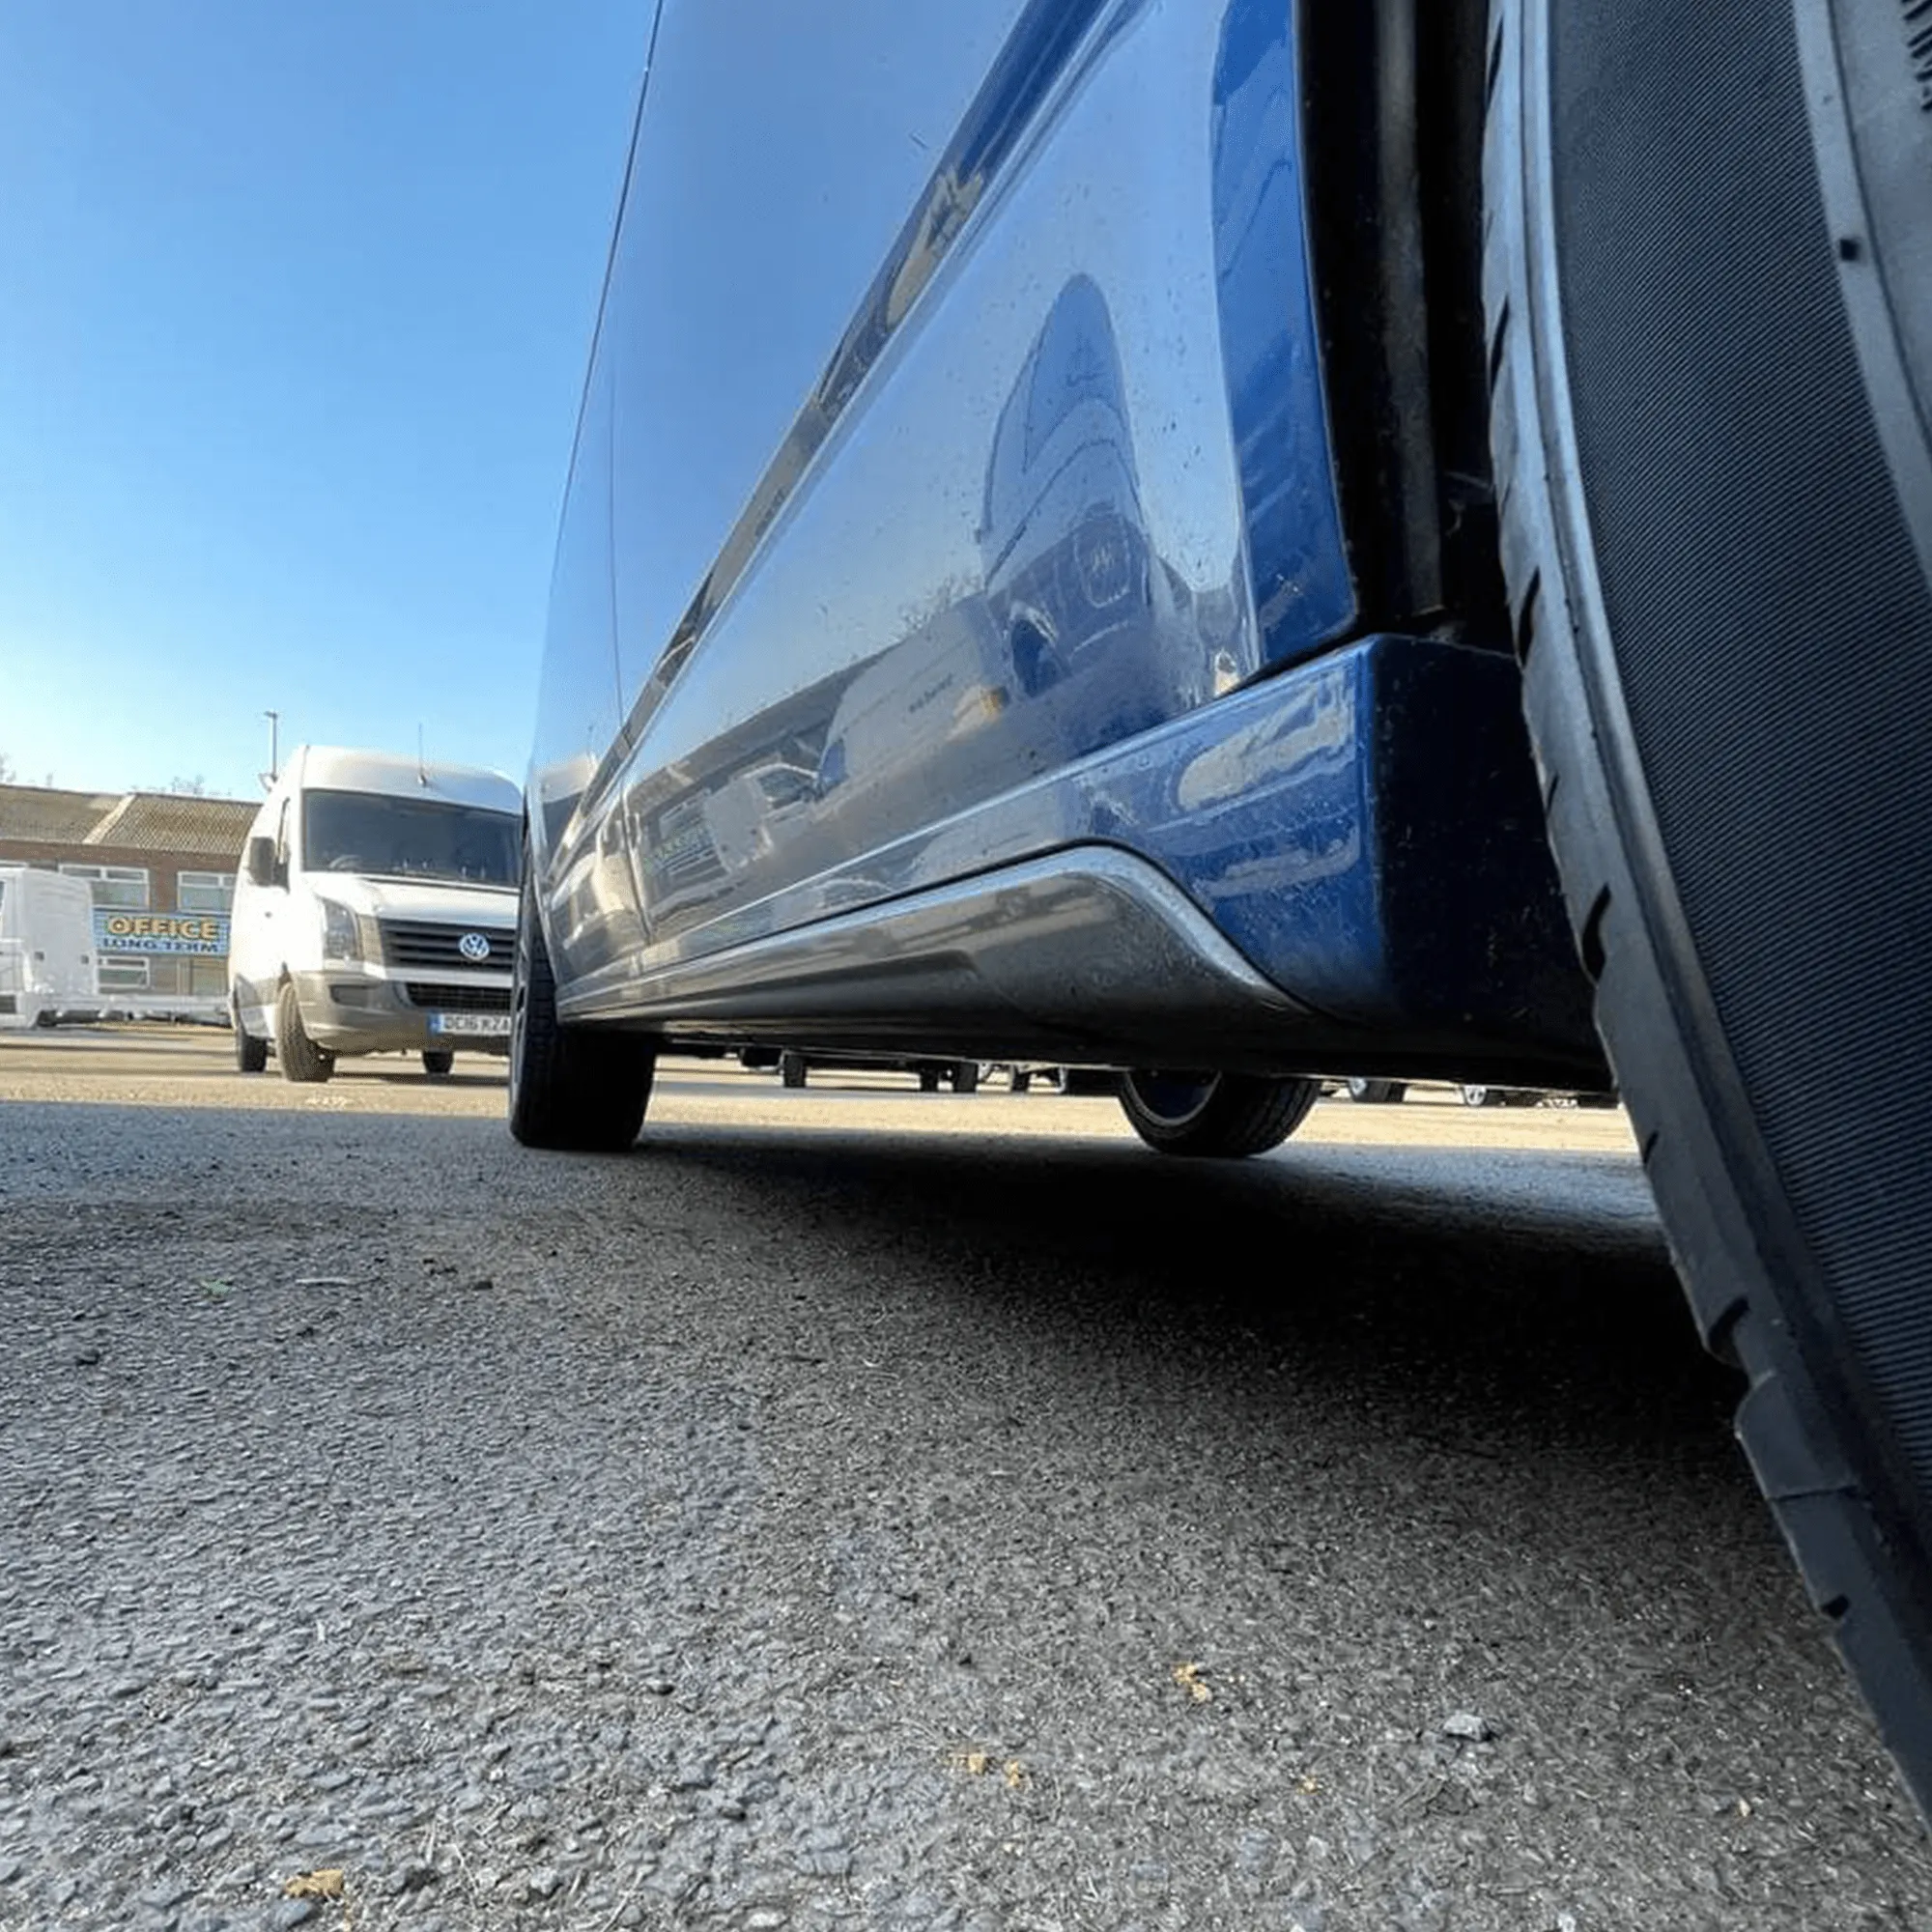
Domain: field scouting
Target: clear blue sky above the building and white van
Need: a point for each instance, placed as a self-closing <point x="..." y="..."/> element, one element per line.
<point x="295" y="312"/>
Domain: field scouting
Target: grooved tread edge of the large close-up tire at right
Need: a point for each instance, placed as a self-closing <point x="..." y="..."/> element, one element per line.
<point x="1846" y="1541"/>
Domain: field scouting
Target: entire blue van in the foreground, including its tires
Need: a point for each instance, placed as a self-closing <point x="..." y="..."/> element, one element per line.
<point x="1332" y="536"/>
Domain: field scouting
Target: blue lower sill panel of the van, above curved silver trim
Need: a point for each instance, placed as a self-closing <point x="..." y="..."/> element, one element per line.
<point x="1359" y="830"/>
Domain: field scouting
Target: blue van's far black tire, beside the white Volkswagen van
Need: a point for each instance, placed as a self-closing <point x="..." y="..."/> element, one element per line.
<point x="575" y="1089"/>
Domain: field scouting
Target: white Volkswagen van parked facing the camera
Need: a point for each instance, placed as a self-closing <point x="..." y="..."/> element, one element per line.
<point x="376" y="913"/>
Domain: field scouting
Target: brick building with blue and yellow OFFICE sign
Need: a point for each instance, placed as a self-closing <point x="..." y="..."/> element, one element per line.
<point x="163" y="874"/>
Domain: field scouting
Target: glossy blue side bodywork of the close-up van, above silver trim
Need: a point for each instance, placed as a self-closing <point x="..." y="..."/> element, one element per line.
<point x="1052" y="552"/>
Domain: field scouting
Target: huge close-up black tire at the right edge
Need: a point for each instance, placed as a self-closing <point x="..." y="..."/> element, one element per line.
<point x="1717" y="528"/>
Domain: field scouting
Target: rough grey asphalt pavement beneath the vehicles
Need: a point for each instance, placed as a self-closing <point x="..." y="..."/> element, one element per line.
<point x="878" y="1510"/>
